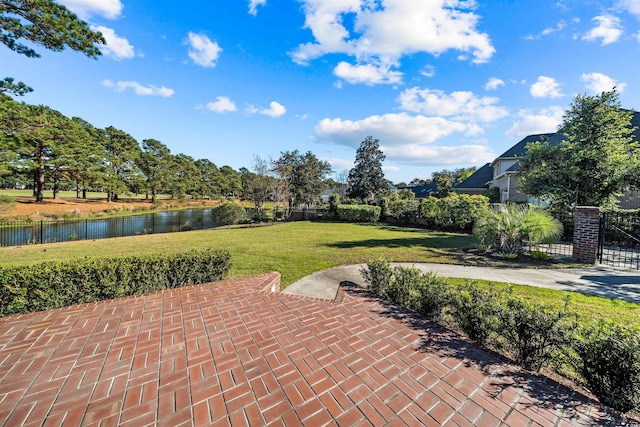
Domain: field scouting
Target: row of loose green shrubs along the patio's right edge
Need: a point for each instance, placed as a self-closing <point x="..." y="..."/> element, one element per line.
<point x="605" y="356"/>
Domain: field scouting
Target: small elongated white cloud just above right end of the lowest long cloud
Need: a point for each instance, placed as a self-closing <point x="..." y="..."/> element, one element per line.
<point x="462" y="105"/>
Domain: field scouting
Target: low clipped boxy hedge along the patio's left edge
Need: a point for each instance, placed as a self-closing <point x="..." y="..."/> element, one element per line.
<point x="29" y="288"/>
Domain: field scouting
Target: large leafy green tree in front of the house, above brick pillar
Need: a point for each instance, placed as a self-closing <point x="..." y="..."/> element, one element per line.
<point x="595" y="162"/>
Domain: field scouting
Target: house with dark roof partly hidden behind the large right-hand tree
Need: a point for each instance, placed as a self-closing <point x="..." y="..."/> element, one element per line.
<point x="503" y="172"/>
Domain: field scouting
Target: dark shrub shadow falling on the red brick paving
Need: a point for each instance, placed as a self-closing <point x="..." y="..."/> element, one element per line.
<point x="506" y="381"/>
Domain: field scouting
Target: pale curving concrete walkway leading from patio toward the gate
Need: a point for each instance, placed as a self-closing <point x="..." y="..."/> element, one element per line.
<point x="599" y="281"/>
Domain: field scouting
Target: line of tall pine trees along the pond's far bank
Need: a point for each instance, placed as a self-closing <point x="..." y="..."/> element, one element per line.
<point x="45" y="148"/>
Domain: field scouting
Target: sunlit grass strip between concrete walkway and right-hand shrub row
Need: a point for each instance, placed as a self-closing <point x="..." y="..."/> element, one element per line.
<point x="588" y="307"/>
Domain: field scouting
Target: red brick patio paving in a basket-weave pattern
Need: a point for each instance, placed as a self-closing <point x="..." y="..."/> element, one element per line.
<point x="232" y="353"/>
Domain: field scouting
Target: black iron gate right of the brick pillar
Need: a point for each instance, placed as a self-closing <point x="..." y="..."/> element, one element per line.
<point x="619" y="240"/>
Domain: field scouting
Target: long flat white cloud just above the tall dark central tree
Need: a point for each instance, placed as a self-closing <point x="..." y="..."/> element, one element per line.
<point x="398" y="129"/>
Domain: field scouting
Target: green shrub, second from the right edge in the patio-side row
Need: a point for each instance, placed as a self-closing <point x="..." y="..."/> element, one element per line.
<point x="534" y="334"/>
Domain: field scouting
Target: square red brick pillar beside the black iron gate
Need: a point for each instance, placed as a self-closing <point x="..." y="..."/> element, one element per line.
<point x="586" y="230"/>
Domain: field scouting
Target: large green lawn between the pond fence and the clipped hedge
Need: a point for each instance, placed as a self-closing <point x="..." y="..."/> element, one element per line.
<point x="293" y="249"/>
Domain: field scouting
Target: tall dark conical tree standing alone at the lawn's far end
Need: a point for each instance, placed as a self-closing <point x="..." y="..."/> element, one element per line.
<point x="366" y="178"/>
